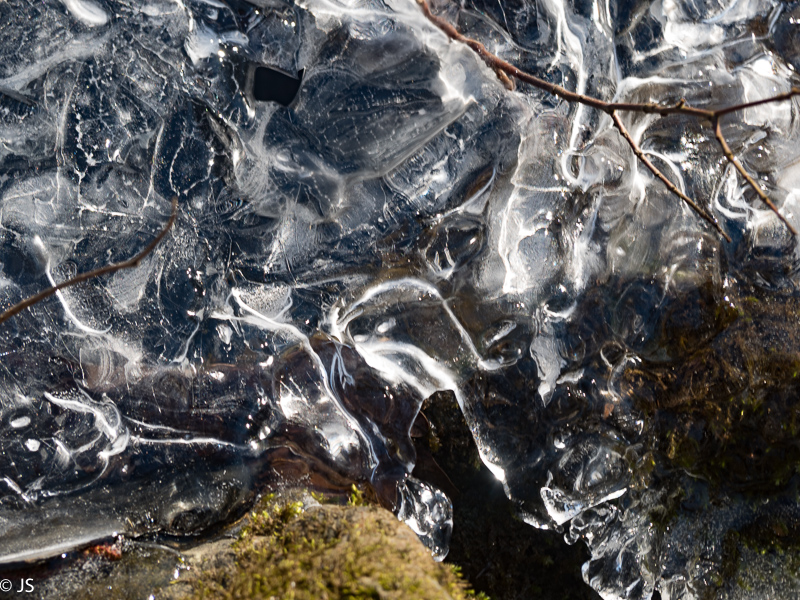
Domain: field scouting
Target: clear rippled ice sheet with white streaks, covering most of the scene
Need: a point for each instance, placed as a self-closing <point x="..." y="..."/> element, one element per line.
<point x="405" y="225"/>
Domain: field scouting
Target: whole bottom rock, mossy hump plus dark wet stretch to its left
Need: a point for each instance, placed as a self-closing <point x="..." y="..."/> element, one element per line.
<point x="290" y="546"/>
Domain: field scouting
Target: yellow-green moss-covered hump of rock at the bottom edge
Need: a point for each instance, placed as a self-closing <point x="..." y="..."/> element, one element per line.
<point x="300" y="550"/>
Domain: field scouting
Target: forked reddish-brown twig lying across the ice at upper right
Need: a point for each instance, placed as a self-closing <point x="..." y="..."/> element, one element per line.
<point x="499" y="66"/>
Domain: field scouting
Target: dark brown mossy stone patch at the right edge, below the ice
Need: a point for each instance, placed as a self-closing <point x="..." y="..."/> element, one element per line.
<point x="727" y="408"/>
